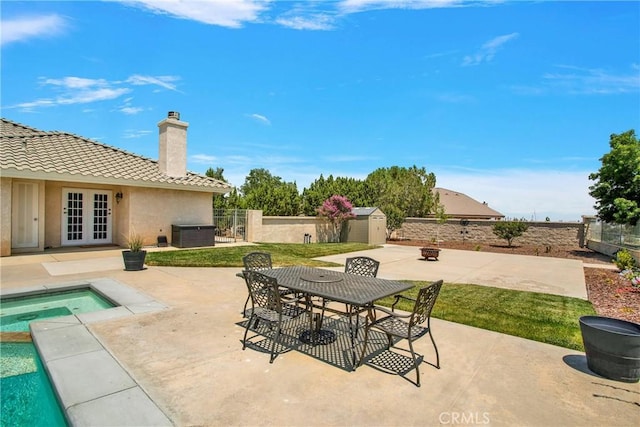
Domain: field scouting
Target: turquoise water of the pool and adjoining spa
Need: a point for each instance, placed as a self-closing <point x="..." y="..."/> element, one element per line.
<point x="27" y="397"/>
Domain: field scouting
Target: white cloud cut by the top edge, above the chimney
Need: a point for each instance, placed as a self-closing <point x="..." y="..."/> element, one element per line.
<point x="225" y="13"/>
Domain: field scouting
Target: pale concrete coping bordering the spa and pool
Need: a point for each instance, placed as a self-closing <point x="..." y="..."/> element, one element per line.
<point x="90" y="384"/>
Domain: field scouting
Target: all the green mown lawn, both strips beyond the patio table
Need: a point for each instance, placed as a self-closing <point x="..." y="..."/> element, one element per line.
<point x="551" y="319"/>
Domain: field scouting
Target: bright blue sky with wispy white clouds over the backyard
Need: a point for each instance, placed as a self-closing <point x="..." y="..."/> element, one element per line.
<point x="511" y="103"/>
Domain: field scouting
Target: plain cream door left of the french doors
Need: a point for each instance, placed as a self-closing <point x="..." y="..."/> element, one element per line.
<point x="24" y="215"/>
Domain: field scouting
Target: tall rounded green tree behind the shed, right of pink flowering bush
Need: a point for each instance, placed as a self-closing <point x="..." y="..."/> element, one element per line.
<point x="401" y="192"/>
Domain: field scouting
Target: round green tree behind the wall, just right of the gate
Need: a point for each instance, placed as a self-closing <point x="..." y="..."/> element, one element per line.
<point x="269" y="193"/>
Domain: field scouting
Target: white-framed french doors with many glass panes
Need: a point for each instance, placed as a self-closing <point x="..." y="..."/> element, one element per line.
<point x="86" y="216"/>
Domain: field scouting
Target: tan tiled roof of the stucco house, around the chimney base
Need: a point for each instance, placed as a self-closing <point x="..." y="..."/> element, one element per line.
<point x="26" y="152"/>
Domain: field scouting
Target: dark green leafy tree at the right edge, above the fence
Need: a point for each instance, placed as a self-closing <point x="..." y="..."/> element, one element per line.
<point x="617" y="183"/>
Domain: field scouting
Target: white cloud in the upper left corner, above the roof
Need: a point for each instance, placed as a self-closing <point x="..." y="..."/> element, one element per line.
<point x="21" y="29"/>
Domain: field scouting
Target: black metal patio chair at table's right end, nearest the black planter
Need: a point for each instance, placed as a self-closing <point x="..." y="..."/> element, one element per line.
<point x="409" y="326"/>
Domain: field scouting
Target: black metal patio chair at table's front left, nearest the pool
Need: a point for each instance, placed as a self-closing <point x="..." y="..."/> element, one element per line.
<point x="269" y="305"/>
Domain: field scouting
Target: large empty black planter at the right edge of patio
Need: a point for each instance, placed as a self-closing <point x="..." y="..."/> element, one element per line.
<point x="612" y="347"/>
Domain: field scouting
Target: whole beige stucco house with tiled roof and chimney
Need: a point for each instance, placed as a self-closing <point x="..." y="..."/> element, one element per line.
<point x="59" y="189"/>
